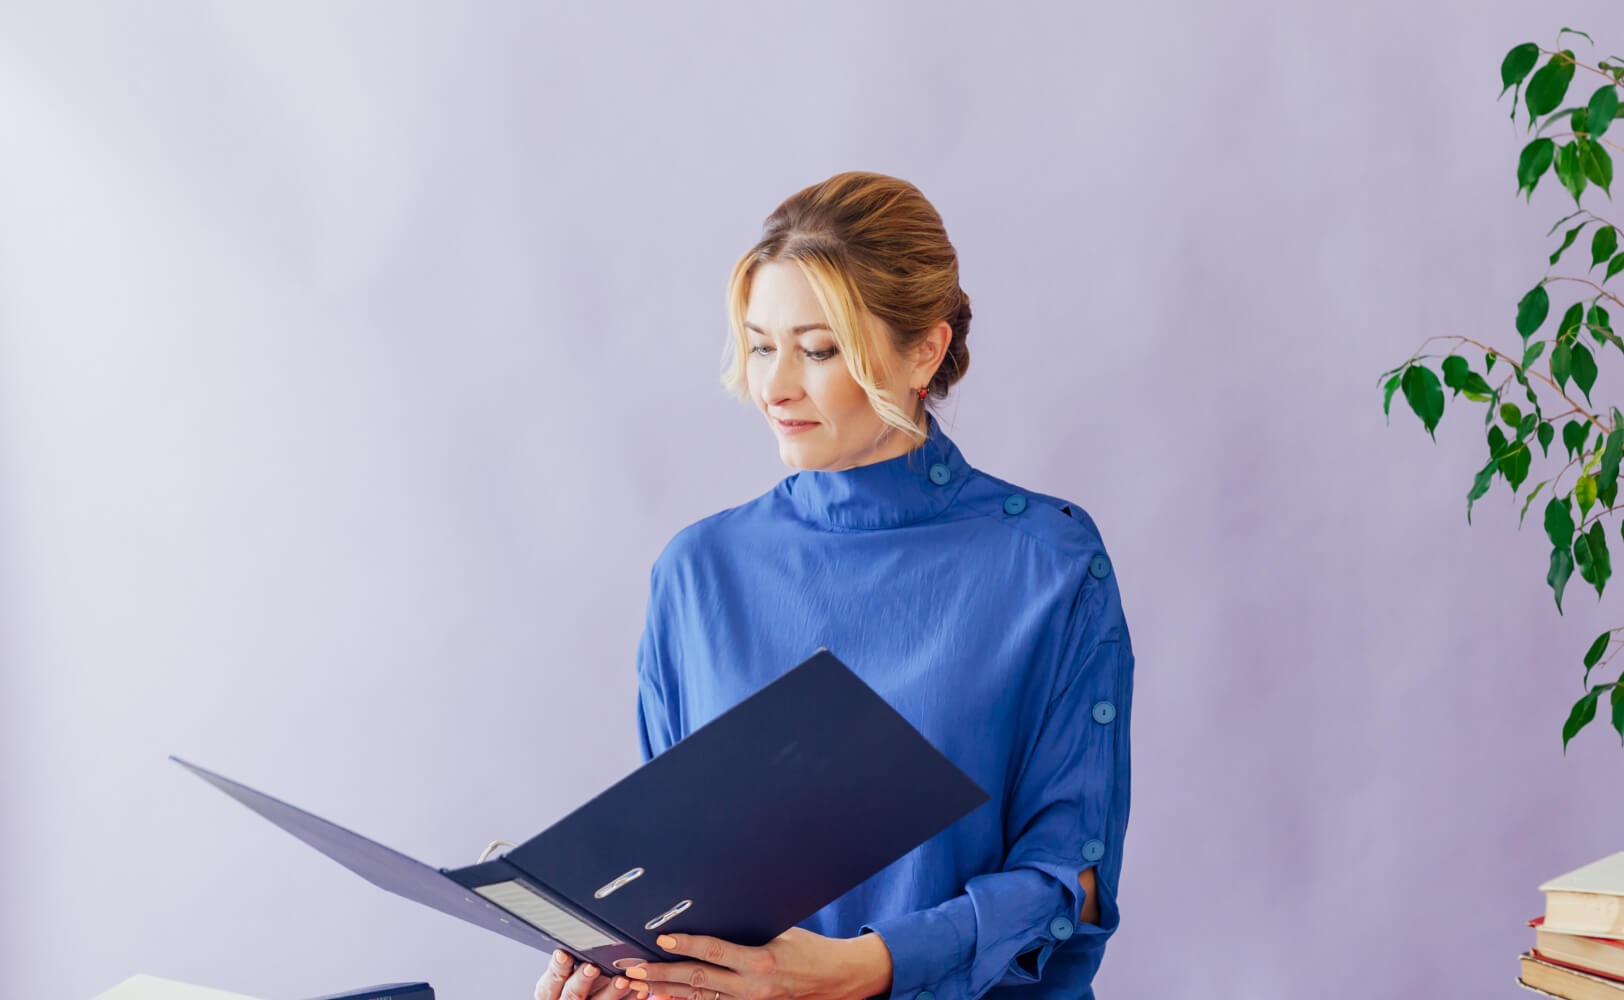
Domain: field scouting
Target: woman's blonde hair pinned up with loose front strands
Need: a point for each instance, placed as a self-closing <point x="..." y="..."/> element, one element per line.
<point x="865" y="243"/>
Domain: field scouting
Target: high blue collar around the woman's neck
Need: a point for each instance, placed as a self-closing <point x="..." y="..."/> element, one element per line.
<point x="888" y="494"/>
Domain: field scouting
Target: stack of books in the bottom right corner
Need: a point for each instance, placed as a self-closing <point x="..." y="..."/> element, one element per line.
<point x="1579" y="942"/>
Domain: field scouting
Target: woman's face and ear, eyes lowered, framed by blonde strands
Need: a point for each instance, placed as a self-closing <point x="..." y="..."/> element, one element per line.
<point x="800" y="382"/>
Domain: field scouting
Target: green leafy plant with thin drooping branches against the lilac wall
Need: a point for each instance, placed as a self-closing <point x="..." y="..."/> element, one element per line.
<point x="1592" y="441"/>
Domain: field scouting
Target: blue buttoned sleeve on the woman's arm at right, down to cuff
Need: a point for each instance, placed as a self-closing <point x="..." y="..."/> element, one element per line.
<point x="1068" y="814"/>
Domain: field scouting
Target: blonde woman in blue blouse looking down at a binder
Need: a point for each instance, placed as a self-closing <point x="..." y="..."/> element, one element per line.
<point x="987" y="614"/>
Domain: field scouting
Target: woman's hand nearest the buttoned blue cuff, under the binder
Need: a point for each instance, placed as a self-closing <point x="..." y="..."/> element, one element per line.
<point x="798" y="965"/>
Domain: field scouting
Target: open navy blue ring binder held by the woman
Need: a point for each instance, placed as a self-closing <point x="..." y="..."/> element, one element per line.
<point x="769" y="812"/>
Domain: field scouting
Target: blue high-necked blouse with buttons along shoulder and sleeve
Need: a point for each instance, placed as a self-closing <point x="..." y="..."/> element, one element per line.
<point x="990" y="618"/>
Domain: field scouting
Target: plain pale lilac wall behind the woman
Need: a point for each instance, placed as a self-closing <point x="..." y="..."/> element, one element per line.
<point x="356" y="363"/>
